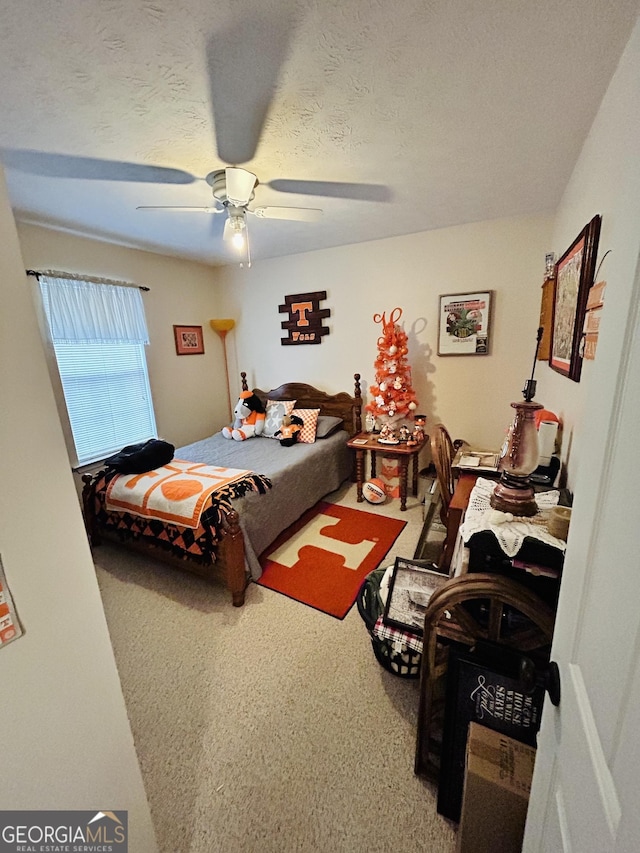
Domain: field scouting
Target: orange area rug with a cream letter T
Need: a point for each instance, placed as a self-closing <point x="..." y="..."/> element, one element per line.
<point x="322" y="559"/>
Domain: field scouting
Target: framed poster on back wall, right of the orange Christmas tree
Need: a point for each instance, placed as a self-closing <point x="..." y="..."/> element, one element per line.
<point x="464" y="323"/>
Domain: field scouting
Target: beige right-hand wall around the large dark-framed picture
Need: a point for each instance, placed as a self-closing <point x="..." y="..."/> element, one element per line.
<point x="606" y="180"/>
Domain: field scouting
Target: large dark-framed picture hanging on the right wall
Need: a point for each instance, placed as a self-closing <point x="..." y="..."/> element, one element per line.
<point x="574" y="276"/>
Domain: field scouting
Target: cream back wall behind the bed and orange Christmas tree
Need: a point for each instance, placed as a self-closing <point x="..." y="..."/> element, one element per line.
<point x="470" y="394"/>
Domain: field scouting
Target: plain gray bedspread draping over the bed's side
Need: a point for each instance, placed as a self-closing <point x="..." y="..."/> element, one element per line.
<point x="301" y="475"/>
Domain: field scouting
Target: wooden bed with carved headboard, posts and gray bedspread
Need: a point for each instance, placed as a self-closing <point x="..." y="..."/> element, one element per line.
<point x="237" y="527"/>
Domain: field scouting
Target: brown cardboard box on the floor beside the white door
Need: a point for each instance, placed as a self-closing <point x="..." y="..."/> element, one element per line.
<point x="496" y="792"/>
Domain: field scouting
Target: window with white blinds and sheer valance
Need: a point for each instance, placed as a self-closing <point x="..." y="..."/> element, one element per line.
<point x="99" y="333"/>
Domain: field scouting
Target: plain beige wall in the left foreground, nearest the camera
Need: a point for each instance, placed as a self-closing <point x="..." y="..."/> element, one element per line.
<point x="66" y="741"/>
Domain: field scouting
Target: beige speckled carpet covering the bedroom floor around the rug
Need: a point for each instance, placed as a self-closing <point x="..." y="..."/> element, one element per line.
<point x="269" y="727"/>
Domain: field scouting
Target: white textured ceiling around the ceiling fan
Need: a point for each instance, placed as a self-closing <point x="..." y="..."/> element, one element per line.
<point x="431" y="112"/>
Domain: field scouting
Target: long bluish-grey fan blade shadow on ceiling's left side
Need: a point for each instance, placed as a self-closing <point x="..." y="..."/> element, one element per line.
<point x="48" y="165"/>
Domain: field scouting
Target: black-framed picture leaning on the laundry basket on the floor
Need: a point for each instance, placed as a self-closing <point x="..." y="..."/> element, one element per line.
<point x="410" y="589"/>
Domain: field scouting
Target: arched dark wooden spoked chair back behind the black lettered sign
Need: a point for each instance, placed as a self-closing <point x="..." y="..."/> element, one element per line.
<point x="449" y="618"/>
